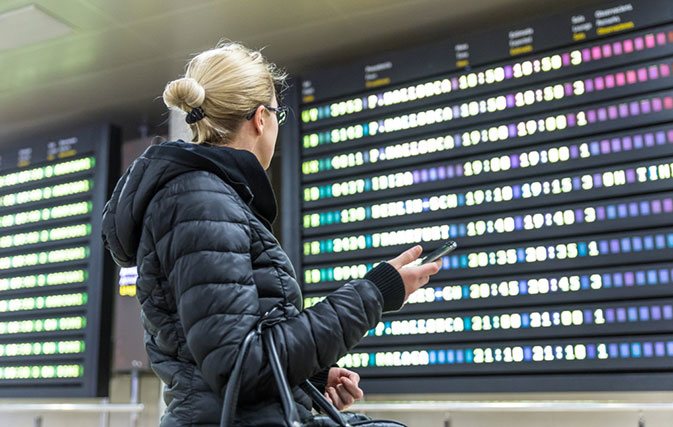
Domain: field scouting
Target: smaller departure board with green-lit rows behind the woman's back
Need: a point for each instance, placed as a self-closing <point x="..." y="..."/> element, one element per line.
<point x="56" y="282"/>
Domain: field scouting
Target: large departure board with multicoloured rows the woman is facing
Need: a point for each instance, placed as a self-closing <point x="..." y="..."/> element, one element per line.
<point x="545" y="150"/>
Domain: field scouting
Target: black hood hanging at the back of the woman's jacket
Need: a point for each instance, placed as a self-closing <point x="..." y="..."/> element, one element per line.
<point x="159" y="164"/>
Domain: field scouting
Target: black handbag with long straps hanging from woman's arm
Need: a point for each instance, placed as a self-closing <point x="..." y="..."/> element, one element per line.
<point x="333" y="417"/>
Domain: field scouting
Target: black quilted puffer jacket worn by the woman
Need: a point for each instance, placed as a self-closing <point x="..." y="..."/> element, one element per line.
<point x="195" y="219"/>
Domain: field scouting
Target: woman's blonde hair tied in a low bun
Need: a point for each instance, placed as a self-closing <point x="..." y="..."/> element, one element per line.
<point x="228" y="83"/>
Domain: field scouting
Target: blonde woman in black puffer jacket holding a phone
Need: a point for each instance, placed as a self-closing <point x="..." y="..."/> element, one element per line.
<point x="196" y="217"/>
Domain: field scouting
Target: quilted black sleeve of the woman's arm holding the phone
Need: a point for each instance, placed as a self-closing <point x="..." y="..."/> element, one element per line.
<point x="203" y="243"/>
